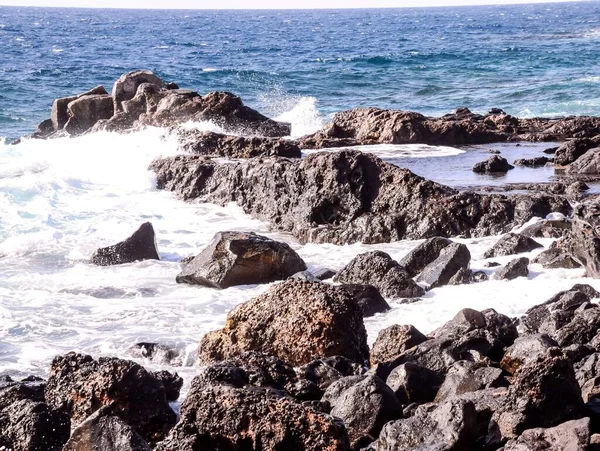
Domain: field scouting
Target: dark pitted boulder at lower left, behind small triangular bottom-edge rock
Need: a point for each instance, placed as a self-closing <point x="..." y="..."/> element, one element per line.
<point x="81" y="385"/>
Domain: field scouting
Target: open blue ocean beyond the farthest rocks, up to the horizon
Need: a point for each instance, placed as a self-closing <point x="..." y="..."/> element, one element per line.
<point x="539" y="59"/>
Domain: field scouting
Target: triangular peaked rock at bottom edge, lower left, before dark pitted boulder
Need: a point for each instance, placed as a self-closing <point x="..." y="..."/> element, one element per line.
<point x="107" y="432"/>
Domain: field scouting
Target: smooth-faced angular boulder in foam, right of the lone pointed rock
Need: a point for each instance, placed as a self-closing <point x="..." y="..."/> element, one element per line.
<point x="241" y="258"/>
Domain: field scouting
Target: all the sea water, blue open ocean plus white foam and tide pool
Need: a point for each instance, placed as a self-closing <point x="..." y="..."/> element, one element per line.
<point x="62" y="199"/>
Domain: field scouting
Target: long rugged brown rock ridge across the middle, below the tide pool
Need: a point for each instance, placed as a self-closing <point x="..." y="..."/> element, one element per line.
<point x="348" y="196"/>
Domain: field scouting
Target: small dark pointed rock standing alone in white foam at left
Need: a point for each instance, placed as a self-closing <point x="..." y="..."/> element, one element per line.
<point x="139" y="246"/>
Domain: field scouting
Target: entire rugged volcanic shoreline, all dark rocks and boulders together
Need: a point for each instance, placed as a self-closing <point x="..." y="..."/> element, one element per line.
<point x="291" y="368"/>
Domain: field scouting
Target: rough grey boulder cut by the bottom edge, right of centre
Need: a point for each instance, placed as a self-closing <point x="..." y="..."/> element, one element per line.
<point x="448" y="426"/>
